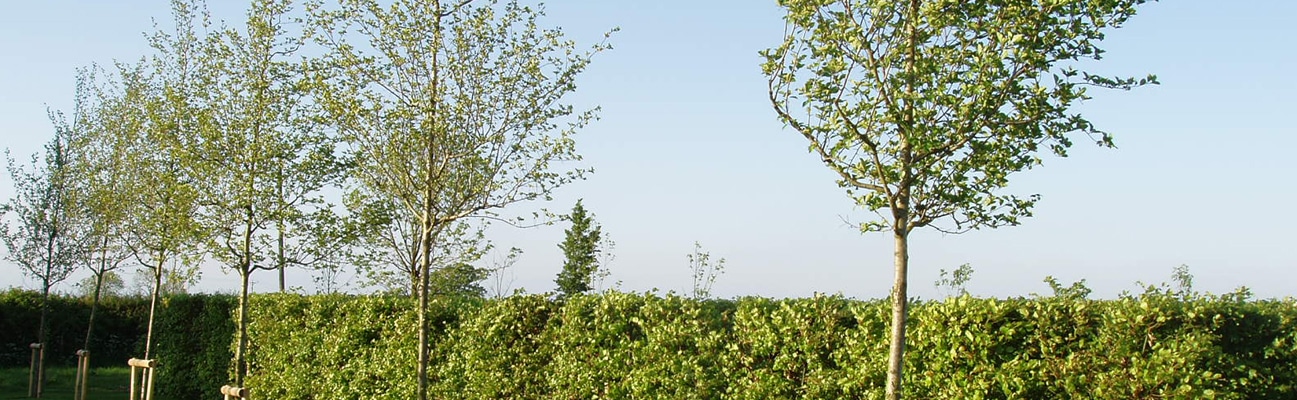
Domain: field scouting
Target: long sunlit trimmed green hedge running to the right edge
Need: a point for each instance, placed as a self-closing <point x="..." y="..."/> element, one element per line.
<point x="625" y="346"/>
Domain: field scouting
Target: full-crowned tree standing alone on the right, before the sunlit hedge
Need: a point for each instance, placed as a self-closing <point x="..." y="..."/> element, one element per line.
<point x="925" y="108"/>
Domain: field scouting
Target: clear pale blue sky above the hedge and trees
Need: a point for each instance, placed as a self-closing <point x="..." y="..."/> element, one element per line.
<point x="688" y="150"/>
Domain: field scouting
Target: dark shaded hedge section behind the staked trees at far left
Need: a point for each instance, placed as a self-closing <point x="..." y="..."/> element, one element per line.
<point x="193" y="337"/>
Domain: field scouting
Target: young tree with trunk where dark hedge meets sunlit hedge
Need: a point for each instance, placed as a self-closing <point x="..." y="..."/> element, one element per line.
<point x="260" y="153"/>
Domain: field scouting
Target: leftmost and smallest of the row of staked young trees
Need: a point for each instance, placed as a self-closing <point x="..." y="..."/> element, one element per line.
<point x="40" y="225"/>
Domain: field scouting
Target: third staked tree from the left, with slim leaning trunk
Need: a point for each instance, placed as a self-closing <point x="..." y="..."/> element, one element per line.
<point x="152" y="118"/>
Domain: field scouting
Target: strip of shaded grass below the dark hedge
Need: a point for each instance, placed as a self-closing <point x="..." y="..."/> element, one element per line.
<point x="104" y="382"/>
